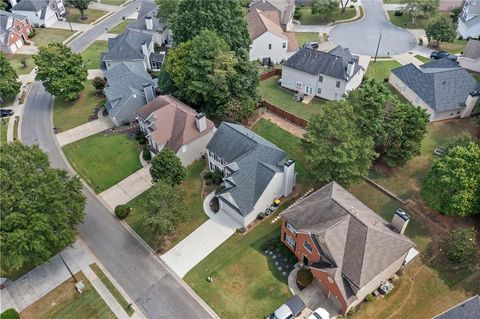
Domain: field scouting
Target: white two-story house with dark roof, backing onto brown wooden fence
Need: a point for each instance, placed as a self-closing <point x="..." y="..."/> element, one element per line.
<point x="328" y="75"/>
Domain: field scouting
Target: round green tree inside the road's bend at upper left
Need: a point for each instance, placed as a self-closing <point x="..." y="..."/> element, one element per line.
<point x="62" y="71"/>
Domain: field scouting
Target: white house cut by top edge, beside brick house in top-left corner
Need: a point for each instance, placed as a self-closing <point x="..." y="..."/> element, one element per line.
<point x="41" y="13"/>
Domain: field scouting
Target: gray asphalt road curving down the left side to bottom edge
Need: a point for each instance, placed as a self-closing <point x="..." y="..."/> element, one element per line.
<point x="158" y="292"/>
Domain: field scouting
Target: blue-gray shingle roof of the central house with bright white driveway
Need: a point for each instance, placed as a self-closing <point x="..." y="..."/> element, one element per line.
<point x="254" y="159"/>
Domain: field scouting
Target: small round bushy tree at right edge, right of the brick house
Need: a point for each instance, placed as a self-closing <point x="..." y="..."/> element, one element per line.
<point x="461" y="245"/>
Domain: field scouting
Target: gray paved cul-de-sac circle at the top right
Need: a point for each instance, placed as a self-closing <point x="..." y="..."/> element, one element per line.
<point x="361" y="37"/>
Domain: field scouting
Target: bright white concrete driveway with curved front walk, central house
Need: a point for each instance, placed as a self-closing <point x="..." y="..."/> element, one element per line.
<point x="200" y="243"/>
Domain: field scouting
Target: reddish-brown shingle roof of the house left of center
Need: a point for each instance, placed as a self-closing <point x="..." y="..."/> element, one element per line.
<point x="173" y="122"/>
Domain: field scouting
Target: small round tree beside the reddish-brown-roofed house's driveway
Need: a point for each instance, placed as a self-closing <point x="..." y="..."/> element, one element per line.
<point x="167" y="167"/>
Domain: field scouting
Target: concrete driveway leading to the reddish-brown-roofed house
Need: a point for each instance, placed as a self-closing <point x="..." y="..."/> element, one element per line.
<point x="128" y="189"/>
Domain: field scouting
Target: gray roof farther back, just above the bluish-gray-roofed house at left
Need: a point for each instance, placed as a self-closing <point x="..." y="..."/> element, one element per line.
<point x="127" y="46"/>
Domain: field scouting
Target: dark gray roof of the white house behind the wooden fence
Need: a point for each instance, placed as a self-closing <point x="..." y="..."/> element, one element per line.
<point x="333" y="63"/>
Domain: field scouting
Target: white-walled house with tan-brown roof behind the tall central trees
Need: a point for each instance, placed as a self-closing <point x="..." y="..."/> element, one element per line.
<point x="270" y="44"/>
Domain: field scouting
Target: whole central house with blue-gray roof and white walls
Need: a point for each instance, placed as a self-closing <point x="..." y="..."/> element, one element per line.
<point x="255" y="171"/>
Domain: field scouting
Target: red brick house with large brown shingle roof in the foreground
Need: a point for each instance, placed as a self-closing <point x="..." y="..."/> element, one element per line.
<point x="349" y="249"/>
